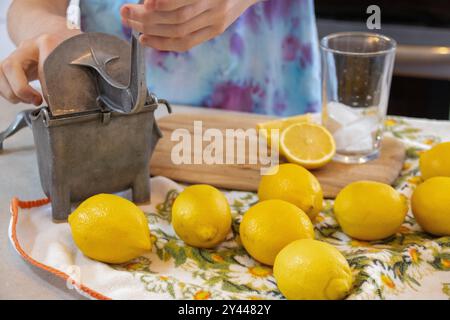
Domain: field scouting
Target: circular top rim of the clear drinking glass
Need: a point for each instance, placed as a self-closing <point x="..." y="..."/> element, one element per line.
<point x="355" y="33"/>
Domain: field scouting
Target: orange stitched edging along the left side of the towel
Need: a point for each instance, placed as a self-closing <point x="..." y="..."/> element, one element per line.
<point x="15" y="205"/>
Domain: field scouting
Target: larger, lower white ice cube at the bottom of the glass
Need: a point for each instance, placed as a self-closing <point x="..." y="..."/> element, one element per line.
<point x="357" y="136"/>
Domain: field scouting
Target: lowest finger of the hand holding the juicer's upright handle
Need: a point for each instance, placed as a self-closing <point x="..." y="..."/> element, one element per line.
<point x="179" y="44"/>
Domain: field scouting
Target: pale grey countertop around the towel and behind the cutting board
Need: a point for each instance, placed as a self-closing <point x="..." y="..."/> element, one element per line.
<point x="20" y="177"/>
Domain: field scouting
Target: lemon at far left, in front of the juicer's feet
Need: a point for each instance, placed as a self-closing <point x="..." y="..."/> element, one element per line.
<point x="110" y="229"/>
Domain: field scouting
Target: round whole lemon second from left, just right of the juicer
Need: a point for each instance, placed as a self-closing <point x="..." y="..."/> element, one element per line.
<point x="201" y="216"/>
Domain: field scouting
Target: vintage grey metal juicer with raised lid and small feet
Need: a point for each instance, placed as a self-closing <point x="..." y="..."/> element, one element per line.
<point x="98" y="132"/>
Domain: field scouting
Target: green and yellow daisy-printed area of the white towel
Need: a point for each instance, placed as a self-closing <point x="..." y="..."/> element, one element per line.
<point x="395" y="267"/>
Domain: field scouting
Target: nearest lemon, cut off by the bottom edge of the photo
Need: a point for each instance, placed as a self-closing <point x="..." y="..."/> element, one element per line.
<point x="312" y="270"/>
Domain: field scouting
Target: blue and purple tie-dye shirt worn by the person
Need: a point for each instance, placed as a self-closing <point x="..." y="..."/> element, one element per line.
<point x="266" y="62"/>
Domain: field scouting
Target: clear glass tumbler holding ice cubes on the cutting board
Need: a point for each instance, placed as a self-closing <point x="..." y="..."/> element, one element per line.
<point x="356" y="79"/>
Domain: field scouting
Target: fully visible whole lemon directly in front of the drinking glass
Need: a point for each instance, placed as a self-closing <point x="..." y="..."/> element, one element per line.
<point x="369" y="210"/>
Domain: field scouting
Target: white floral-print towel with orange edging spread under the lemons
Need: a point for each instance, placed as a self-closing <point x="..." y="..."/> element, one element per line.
<point x="408" y="265"/>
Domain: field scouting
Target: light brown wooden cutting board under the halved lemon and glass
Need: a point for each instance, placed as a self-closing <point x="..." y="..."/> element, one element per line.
<point x="333" y="177"/>
